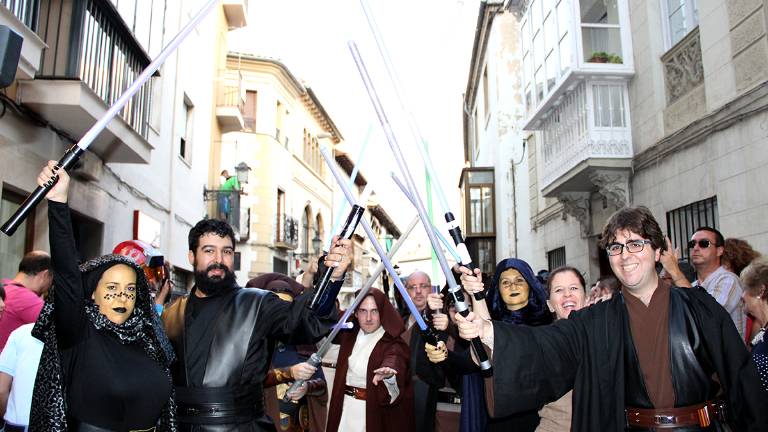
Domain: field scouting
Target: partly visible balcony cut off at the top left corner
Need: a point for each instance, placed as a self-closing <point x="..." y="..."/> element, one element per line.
<point x="22" y="17"/>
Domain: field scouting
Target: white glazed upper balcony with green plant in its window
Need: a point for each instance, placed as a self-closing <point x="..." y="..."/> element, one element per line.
<point x="567" y="42"/>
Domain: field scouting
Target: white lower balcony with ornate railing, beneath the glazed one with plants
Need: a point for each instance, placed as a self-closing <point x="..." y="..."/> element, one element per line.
<point x="587" y="133"/>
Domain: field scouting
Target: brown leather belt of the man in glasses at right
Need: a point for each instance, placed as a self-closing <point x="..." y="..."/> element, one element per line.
<point x="671" y="418"/>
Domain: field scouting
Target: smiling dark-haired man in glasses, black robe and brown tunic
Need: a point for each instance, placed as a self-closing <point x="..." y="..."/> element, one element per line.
<point x="653" y="357"/>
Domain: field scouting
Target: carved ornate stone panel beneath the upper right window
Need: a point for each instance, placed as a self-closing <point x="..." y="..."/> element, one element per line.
<point x="683" y="68"/>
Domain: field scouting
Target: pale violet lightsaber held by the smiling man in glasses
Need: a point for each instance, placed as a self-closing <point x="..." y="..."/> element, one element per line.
<point x="461" y="306"/>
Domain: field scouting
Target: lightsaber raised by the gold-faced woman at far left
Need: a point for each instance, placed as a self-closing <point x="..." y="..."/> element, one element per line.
<point x="10" y="226"/>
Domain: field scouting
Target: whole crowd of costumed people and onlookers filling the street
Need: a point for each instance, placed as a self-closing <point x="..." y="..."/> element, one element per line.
<point x="660" y="343"/>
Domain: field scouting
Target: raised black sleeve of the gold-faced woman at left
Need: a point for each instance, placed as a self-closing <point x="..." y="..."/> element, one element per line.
<point x="69" y="295"/>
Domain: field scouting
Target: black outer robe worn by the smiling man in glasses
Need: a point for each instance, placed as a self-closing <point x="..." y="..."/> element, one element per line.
<point x="538" y="365"/>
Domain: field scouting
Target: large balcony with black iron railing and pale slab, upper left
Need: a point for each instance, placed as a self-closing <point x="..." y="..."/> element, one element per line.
<point x="91" y="60"/>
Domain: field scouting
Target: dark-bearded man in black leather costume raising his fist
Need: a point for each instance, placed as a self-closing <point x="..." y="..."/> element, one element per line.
<point x="224" y="335"/>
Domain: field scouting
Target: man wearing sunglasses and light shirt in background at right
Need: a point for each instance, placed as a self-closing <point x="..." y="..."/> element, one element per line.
<point x="706" y="248"/>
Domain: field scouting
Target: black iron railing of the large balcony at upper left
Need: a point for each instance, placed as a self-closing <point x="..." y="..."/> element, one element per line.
<point x="89" y="41"/>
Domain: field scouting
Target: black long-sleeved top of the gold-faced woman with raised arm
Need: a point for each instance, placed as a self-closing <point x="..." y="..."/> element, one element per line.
<point x="107" y="384"/>
